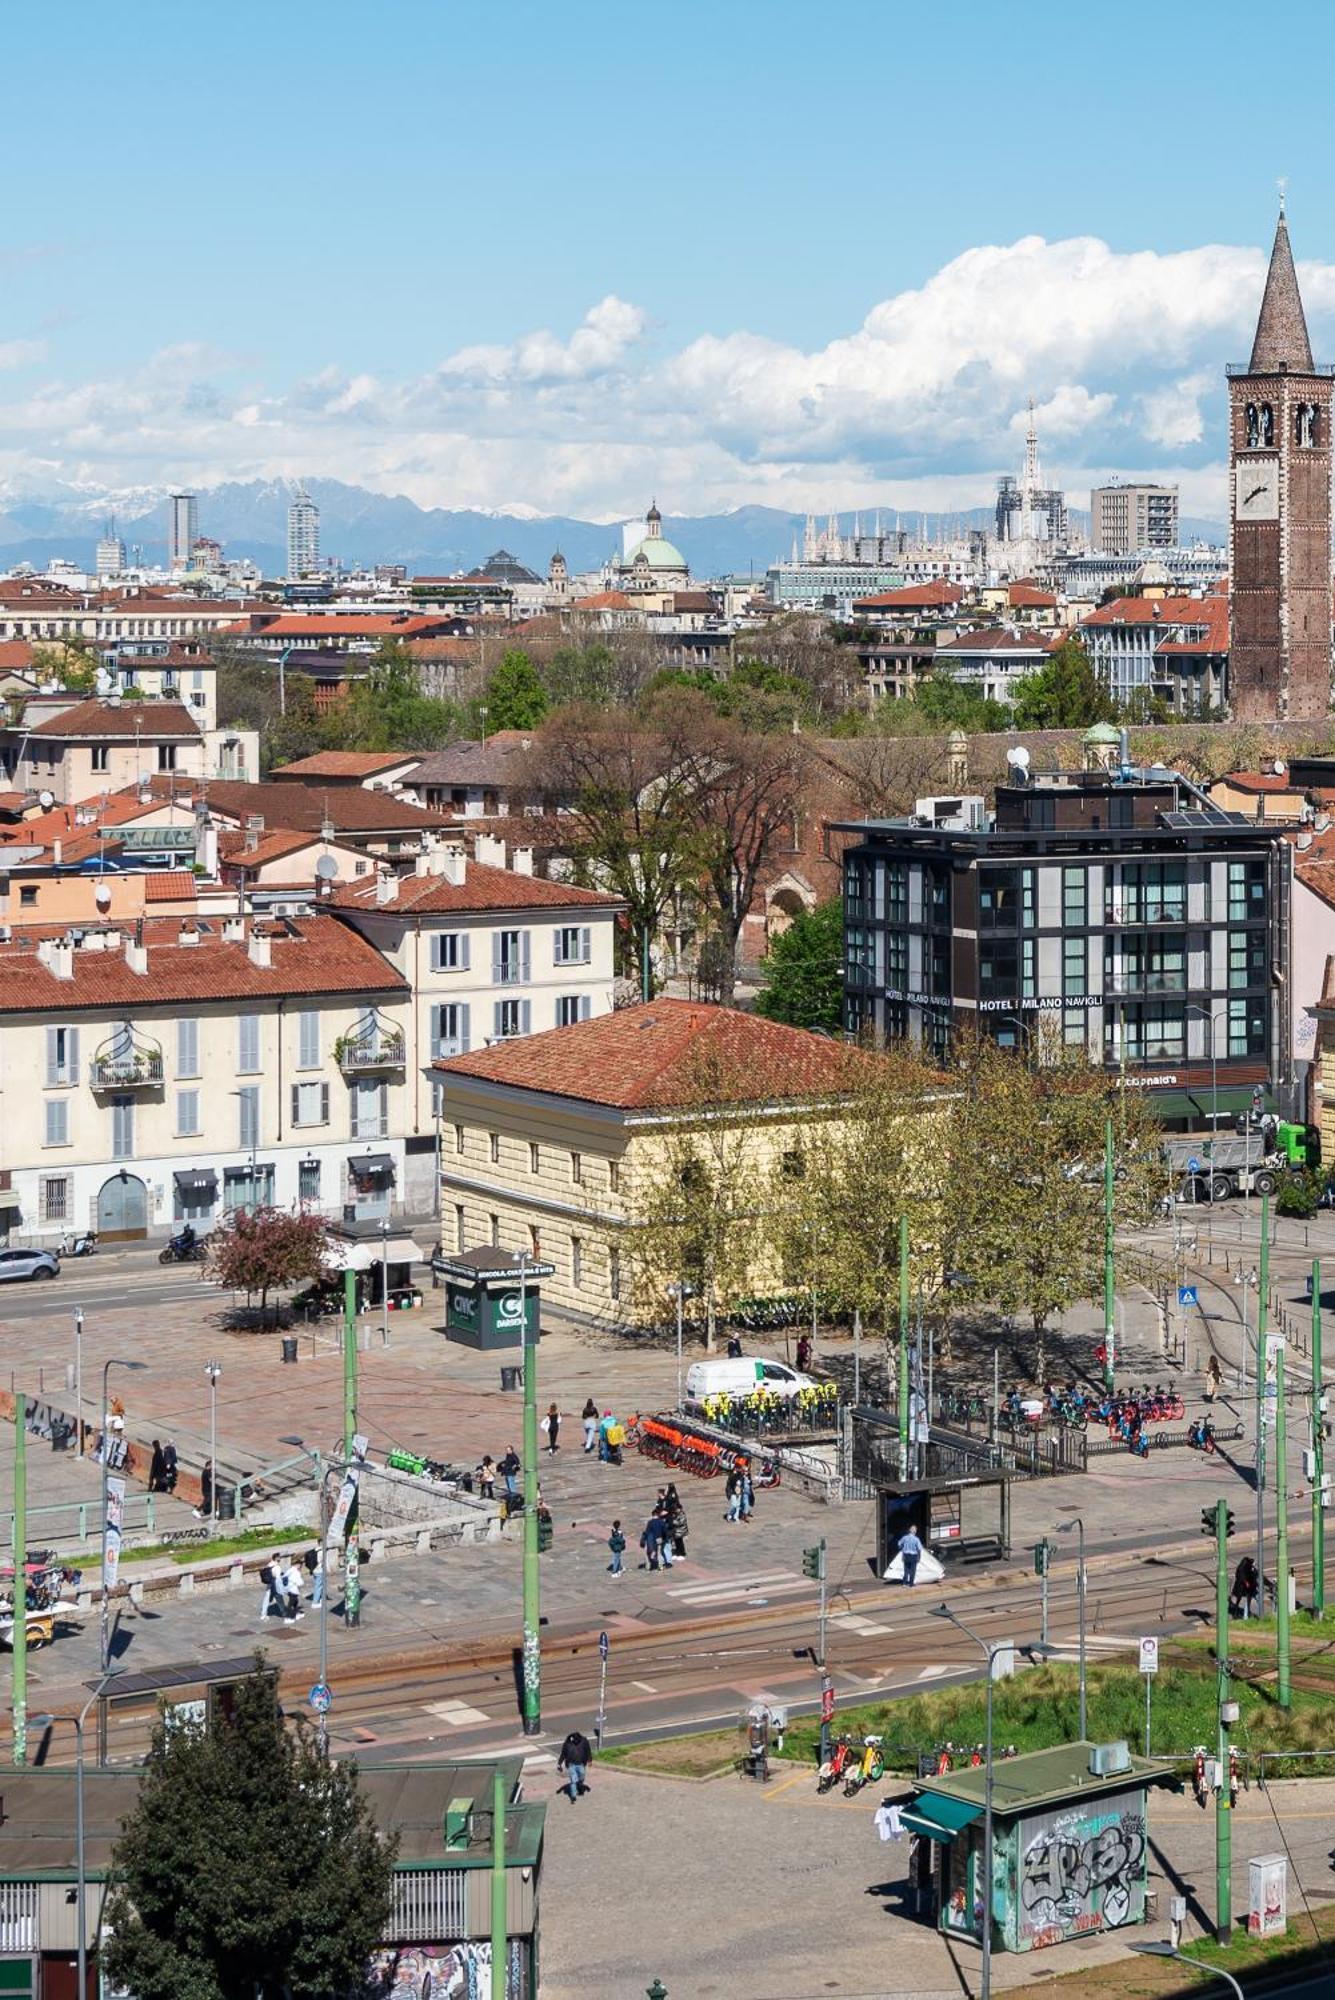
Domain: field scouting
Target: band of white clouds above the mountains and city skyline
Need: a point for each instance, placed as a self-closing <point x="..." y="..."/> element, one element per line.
<point x="918" y="407"/>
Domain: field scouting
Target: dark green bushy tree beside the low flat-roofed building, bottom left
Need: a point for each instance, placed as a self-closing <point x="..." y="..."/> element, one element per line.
<point x="251" y="1867"/>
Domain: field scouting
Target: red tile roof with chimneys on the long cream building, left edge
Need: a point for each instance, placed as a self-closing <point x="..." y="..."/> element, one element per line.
<point x="313" y="955"/>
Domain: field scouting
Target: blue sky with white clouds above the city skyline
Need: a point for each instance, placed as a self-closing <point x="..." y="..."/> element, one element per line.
<point x="728" y="253"/>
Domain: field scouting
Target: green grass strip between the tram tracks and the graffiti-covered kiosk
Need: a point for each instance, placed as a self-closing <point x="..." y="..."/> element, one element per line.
<point x="1040" y="1709"/>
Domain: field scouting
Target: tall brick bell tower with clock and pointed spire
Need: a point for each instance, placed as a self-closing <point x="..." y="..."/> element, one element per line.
<point x="1280" y="513"/>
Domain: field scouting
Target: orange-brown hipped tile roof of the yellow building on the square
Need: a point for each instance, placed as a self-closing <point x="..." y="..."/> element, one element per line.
<point x="659" y="1055"/>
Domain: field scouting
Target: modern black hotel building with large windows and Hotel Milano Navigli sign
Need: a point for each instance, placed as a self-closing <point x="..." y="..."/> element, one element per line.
<point x="1144" y="921"/>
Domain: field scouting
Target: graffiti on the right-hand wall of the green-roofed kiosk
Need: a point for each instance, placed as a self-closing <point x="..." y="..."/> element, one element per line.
<point x="1082" y="1873"/>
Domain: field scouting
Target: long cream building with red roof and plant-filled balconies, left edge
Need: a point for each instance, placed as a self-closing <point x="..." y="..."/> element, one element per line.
<point x="181" y="1069"/>
